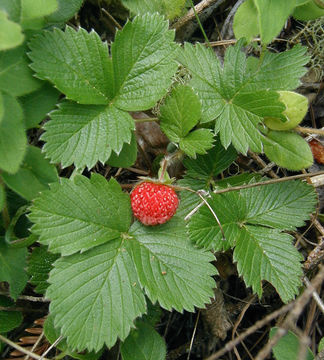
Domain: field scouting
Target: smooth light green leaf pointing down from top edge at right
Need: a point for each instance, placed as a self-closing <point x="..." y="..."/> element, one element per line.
<point x="272" y="17"/>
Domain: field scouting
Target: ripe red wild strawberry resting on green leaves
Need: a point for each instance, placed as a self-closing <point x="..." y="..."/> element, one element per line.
<point x="153" y="203"/>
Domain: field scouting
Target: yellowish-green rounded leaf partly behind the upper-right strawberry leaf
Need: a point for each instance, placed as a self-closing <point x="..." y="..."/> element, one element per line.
<point x="296" y="109"/>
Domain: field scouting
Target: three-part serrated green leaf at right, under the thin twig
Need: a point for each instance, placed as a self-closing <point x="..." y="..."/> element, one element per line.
<point x="252" y="220"/>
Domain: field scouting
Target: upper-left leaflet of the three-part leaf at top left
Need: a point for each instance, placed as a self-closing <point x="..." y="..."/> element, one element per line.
<point x="76" y="62"/>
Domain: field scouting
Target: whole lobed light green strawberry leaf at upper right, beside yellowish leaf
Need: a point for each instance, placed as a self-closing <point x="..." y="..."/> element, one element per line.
<point x="240" y="94"/>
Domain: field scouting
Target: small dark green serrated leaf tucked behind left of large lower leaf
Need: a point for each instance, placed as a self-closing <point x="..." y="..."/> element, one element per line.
<point x="39" y="266"/>
